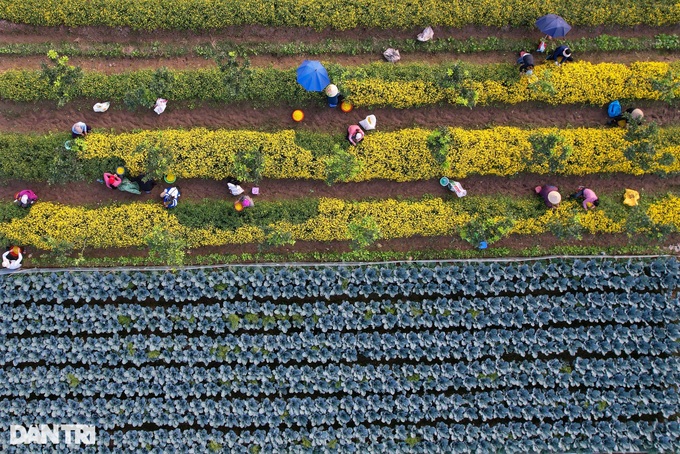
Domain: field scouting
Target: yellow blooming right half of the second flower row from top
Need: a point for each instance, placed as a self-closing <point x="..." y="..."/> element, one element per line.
<point x="580" y="82"/>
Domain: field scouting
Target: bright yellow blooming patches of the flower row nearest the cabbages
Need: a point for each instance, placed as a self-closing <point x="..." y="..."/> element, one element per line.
<point x="128" y="225"/>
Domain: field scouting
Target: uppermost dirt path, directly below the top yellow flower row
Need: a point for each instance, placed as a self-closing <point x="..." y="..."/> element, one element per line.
<point x="18" y="33"/>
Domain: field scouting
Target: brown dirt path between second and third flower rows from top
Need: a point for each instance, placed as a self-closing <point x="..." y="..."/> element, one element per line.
<point x="44" y="116"/>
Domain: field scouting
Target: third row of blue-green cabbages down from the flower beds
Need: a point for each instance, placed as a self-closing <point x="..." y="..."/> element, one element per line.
<point x="310" y="348"/>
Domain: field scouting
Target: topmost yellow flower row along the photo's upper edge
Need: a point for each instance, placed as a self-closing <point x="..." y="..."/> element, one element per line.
<point x="207" y="14"/>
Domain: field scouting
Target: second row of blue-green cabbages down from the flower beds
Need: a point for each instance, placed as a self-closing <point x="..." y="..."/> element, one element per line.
<point x="441" y="313"/>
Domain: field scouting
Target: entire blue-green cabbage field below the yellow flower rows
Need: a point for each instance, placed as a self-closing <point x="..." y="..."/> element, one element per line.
<point x="547" y="355"/>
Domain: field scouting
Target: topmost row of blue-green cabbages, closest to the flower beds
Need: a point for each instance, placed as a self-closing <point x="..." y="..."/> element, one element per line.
<point x="407" y="280"/>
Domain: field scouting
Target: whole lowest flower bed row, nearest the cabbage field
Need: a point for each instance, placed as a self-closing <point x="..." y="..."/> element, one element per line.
<point x="128" y="225"/>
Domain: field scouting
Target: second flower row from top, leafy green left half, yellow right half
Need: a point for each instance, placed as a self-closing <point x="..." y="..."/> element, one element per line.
<point x="380" y="84"/>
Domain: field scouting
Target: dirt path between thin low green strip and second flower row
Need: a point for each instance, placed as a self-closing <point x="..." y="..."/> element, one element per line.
<point x="119" y="65"/>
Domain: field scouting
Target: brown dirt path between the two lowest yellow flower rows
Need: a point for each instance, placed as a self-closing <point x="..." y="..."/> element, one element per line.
<point x="194" y="189"/>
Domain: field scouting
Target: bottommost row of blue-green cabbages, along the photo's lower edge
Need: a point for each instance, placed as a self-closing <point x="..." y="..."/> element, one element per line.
<point x="514" y="437"/>
